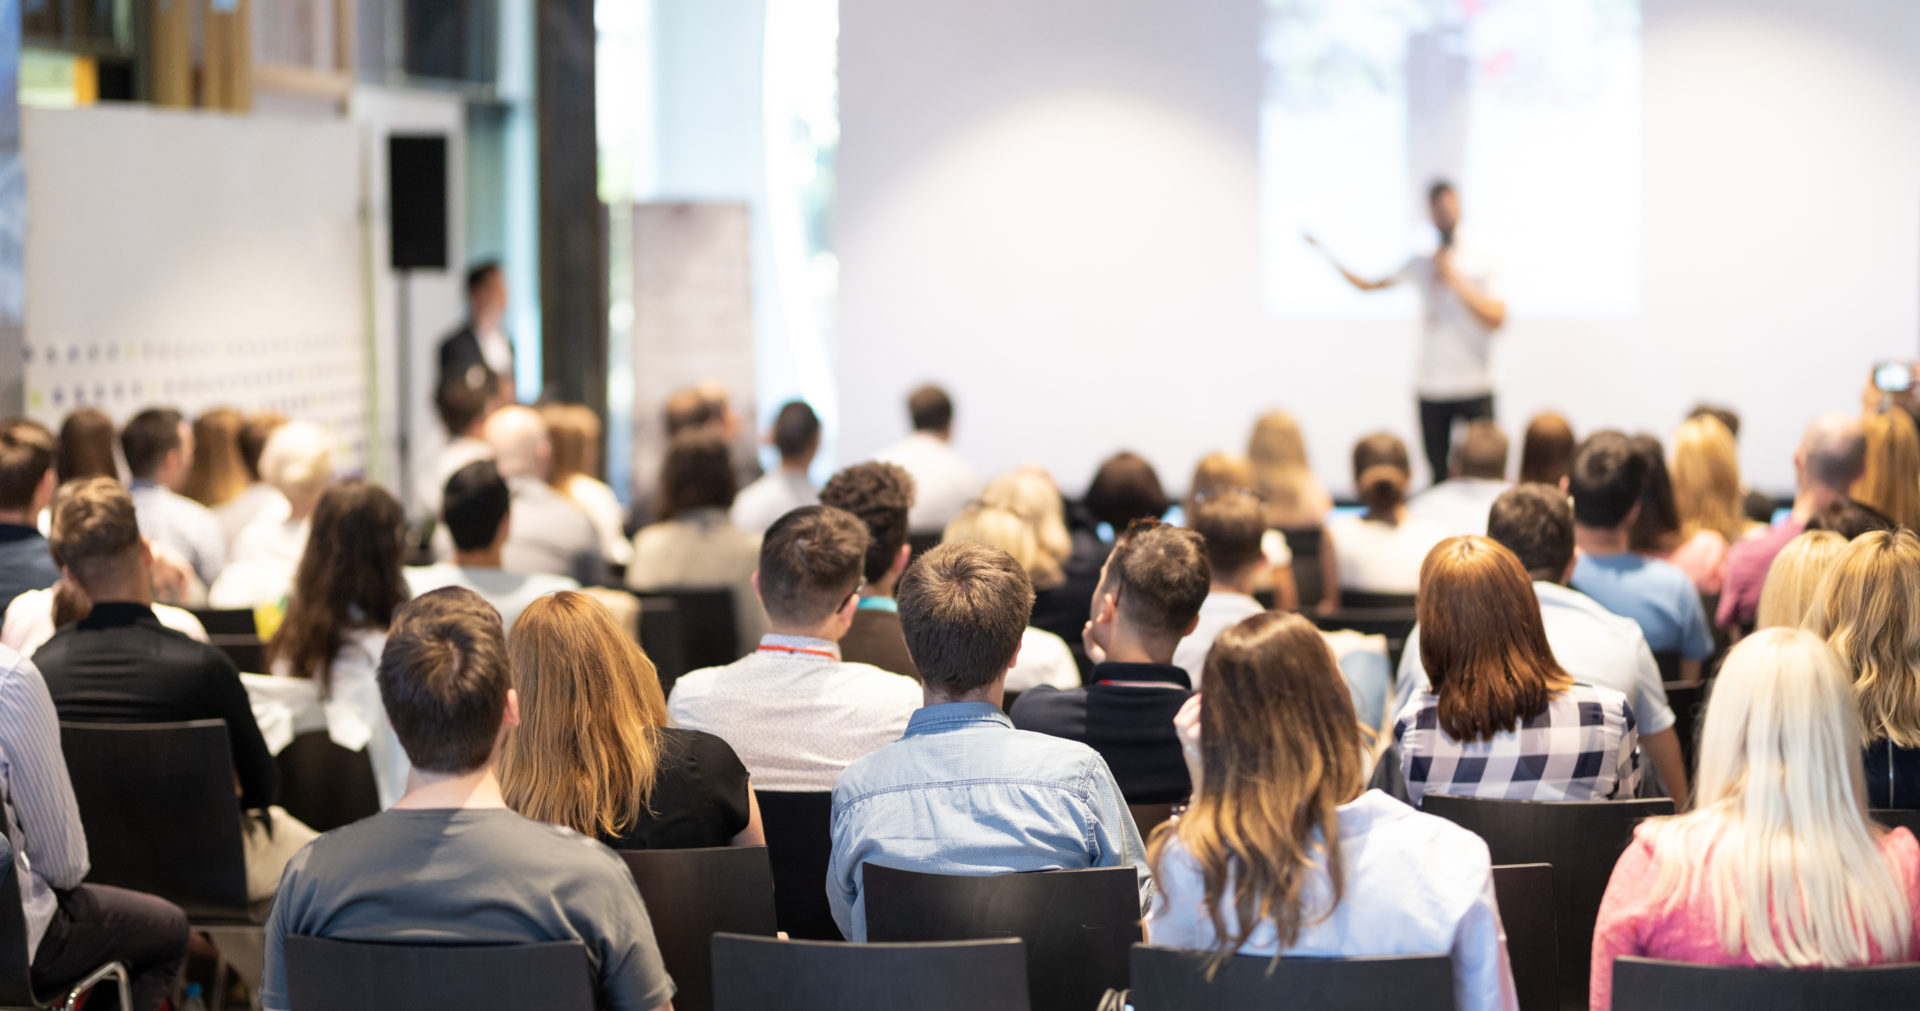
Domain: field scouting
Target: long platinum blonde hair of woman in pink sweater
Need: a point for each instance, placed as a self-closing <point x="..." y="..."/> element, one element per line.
<point x="1796" y="876"/>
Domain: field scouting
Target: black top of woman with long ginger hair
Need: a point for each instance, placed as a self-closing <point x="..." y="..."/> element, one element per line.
<point x="700" y="797"/>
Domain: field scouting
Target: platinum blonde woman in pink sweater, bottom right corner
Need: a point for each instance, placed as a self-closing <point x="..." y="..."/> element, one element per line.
<point x="1779" y="862"/>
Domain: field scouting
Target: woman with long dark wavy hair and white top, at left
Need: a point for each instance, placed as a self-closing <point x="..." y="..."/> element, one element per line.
<point x="341" y="605"/>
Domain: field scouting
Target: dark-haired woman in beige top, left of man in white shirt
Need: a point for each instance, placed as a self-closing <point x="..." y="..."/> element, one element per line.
<point x="696" y="546"/>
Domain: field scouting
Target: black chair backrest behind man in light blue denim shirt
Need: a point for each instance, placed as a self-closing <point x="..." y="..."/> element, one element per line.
<point x="1078" y="924"/>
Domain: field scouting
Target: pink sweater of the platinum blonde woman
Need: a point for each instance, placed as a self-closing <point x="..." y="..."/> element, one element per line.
<point x="1633" y="924"/>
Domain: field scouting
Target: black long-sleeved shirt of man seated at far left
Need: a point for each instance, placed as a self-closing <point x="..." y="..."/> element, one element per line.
<point x="122" y="667"/>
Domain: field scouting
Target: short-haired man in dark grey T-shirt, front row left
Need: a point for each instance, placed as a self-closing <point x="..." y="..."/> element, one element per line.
<point x="450" y="862"/>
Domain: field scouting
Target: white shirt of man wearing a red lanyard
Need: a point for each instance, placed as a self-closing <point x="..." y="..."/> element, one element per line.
<point x="796" y="718"/>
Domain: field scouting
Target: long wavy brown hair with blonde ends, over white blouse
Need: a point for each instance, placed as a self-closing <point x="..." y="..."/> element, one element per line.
<point x="1280" y="753"/>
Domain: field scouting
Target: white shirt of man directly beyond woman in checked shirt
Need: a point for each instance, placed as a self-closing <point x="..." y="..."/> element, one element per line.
<point x="1593" y="644"/>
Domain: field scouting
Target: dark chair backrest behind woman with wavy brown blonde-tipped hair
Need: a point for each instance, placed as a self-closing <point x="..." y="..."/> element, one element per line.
<point x="1166" y="979"/>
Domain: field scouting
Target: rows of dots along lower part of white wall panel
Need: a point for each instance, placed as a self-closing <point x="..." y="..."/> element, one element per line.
<point x="316" y="379"/>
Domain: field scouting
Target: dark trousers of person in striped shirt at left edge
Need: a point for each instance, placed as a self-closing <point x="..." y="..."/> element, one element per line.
<point x="99" y="924"/>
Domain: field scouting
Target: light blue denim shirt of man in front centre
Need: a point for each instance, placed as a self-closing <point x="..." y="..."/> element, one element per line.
<point x="965" y="793"/>
